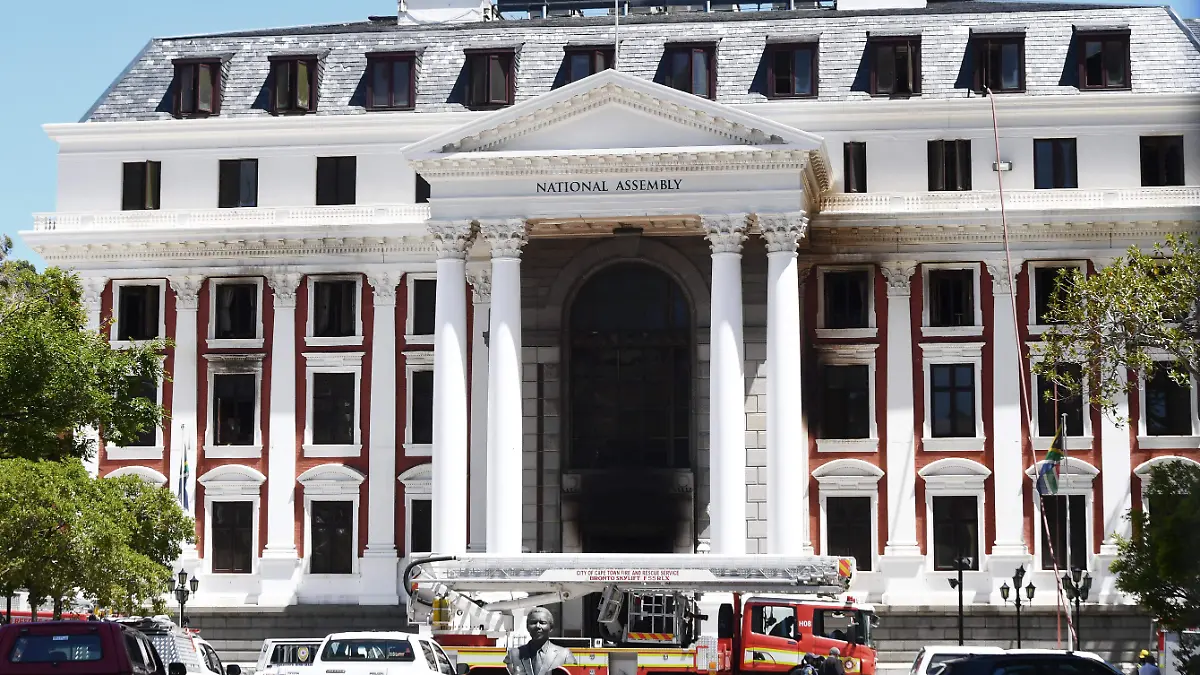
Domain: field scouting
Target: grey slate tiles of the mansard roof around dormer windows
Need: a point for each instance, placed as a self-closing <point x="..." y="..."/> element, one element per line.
<point x="1165" y="57"/>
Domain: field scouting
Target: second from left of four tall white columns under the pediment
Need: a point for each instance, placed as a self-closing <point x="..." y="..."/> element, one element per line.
<point x="505" y="417"/>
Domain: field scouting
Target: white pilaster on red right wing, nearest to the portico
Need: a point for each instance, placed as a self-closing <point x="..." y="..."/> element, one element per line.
<point x="902" y="463"/>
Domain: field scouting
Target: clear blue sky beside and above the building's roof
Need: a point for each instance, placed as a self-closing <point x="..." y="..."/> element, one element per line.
<point x="63" y="55"/>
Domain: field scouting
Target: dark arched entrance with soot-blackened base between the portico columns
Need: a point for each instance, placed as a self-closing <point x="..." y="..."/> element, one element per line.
<point x="631" y="401"/>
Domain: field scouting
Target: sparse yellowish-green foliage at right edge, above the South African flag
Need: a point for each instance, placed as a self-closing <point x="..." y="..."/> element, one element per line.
<point x="1118" y="319"/>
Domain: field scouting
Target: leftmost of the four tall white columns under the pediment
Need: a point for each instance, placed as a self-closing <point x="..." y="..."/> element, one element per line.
<point x="451" y="389"/>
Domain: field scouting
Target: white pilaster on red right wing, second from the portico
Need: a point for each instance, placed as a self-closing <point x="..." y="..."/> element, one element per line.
<point x="1007" y="422"/>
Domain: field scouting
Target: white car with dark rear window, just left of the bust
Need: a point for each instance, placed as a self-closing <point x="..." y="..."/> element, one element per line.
<point x="381" y="654"/>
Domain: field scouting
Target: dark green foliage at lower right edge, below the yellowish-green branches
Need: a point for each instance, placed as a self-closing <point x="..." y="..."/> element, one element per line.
<point x="1159" y="564"/>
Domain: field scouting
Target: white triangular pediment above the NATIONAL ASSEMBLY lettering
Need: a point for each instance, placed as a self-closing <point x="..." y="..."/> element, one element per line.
<point x="614" y="111"/>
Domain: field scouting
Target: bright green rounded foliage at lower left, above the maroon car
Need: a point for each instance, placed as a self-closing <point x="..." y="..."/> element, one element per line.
<point x="65" y="534"/>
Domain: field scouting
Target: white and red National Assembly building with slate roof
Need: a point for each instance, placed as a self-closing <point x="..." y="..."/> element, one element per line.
<point x="729" y="282"/>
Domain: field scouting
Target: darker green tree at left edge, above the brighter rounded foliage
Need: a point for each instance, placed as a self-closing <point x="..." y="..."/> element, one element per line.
<point x="57" y="378"/>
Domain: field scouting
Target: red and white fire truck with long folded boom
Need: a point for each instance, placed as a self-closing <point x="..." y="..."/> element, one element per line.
<point x="657" y="614"/>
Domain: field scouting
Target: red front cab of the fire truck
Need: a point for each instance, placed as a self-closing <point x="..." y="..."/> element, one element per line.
<point x="778" y="631"/>
